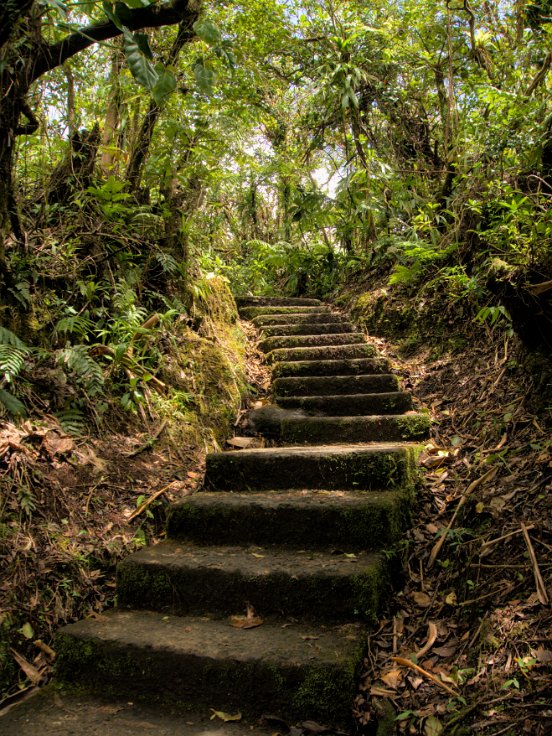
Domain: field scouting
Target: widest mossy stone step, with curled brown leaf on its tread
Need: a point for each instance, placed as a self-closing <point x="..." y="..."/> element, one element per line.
<point x="295" y="672"/>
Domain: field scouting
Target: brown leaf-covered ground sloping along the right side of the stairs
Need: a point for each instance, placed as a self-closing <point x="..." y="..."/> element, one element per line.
<point x="464" y="647"/>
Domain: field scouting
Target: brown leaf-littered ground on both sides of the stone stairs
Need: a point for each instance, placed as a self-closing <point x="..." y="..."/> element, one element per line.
<point x="462" y="646"/>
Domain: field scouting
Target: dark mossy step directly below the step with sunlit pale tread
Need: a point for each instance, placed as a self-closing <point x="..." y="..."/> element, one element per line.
<point x="306" y="519"/>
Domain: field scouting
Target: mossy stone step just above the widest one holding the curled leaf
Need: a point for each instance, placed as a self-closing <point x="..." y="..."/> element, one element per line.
<point x="314" y="585"/>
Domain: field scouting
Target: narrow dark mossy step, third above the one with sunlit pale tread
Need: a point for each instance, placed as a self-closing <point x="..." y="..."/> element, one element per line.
<point x="323" y="385"/>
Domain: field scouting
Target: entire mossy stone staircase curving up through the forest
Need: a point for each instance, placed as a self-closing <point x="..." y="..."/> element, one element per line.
<point x="296" y="530"/>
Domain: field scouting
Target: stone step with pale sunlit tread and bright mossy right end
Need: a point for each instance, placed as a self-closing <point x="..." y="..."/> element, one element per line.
<point x="380" y="466"/>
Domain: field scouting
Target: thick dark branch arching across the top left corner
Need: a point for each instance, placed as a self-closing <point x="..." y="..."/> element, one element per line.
<point x="51" y="56"/>
